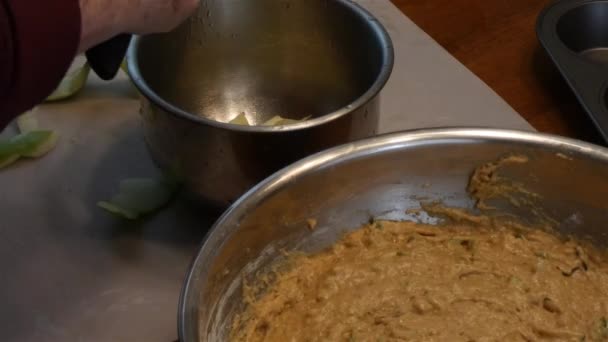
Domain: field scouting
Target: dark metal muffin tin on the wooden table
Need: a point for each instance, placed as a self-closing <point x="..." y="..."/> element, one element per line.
<point x="575" y="35"/>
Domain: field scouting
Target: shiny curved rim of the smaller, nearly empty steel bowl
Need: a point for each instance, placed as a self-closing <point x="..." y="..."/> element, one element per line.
<point x="388" y="59"/>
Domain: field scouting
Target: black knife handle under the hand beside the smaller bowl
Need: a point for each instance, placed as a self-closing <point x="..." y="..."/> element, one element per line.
<point x="105" y="58"/>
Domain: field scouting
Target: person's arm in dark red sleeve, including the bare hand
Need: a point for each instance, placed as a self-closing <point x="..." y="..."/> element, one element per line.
<point x="39" y="39"/>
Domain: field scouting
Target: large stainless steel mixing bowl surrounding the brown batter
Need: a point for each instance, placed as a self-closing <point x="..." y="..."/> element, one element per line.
<point x="381" y="177"/>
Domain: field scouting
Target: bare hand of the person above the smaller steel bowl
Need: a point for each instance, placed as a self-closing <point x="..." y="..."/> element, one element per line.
<point x="103" y="19"/>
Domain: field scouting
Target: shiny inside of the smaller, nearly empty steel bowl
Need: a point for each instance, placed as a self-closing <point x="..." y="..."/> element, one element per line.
<point x="293" y="58"/>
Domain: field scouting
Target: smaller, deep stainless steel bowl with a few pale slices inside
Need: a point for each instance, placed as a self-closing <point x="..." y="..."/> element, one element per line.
<point x="327" y="59"/>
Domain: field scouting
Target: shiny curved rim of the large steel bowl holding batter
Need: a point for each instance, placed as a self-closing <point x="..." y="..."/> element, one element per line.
<point x="365" y="147"/>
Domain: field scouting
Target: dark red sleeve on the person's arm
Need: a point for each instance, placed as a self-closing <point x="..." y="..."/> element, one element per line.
<point x="38" y="41"/>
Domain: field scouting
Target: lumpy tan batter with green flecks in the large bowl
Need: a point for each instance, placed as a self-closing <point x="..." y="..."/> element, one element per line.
<point x="400" y="281"/>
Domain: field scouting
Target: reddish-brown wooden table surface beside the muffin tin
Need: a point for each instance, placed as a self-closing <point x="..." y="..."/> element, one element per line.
<point x="496" y="40"/>
